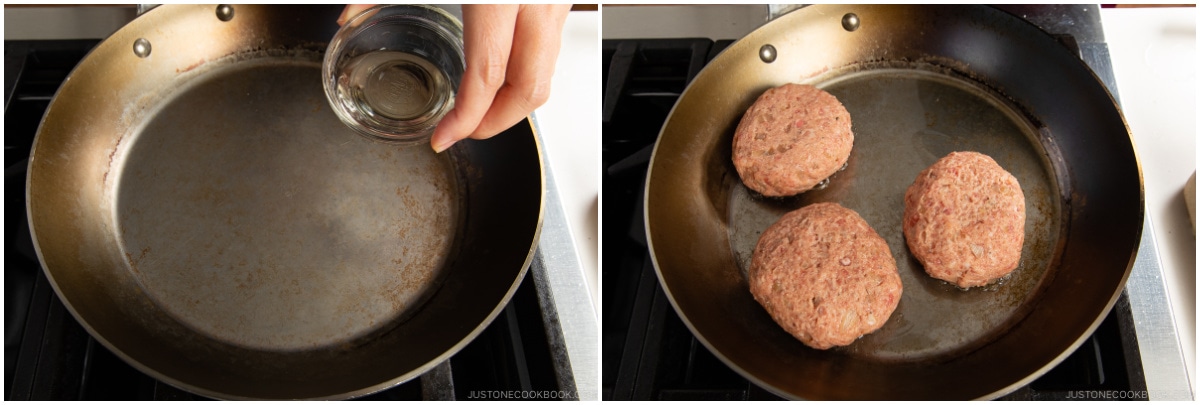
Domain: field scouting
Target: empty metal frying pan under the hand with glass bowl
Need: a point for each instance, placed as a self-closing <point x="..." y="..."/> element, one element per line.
<point x="205" y="215"/>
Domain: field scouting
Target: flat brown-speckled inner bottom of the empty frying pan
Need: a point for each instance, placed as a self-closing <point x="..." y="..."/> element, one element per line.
<point x="249" y="213"/>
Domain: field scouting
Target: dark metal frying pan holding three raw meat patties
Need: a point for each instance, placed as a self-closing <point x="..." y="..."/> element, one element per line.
<point x="919" y="82"/>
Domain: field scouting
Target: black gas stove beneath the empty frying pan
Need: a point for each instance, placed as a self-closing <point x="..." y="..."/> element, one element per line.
<point x="50" y="356"/>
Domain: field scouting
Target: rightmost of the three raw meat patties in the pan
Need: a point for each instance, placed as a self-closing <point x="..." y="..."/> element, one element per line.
<point x="964" y="220"/>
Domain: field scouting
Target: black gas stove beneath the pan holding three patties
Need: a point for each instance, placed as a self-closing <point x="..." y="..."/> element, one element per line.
<point x="649" y="353"/>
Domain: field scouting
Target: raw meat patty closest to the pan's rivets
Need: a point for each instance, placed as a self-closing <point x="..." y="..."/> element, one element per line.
<point x="793" y="138"/>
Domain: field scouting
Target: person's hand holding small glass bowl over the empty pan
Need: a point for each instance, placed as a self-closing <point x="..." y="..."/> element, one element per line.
<point x="511" y="53"/>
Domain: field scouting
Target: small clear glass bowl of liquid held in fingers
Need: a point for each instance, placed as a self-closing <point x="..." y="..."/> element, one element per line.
<point x="392" y="72"/>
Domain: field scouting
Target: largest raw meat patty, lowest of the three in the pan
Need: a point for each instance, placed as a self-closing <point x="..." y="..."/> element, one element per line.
<point x="825" y="276"/>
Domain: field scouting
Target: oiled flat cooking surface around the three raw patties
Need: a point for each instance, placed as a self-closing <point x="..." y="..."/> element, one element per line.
<point x="904" y="120"/>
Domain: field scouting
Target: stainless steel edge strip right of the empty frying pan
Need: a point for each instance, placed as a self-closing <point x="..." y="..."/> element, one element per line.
<point x="572" y="327"/>
